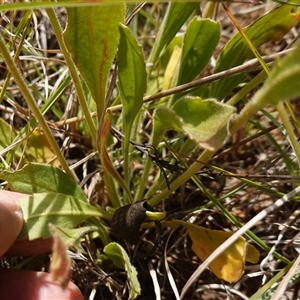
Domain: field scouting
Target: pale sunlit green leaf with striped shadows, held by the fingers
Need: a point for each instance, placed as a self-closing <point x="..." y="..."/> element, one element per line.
<point x="62" y="210"/>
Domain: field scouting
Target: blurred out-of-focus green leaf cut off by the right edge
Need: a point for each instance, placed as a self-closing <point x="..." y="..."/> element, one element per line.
<point x="283" y="81"/>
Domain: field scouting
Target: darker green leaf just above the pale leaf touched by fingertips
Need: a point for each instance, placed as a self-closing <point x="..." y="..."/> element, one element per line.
<point x="39" y="178"/>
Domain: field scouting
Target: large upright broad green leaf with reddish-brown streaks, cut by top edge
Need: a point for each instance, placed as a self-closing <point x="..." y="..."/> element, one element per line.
<point x="92" y="38"/>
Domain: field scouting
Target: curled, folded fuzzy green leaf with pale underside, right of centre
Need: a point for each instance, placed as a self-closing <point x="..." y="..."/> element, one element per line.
<point x="205" y="121"/>
